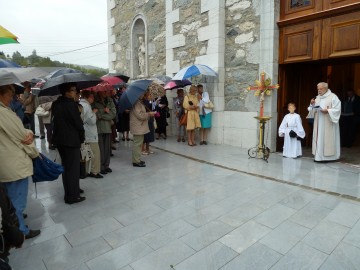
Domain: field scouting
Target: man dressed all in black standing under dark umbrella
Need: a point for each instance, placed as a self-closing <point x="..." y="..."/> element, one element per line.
<point x="68" y="135"/>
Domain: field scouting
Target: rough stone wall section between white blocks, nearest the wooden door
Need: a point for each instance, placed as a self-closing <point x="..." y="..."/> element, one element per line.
<point x="241" y="55"/>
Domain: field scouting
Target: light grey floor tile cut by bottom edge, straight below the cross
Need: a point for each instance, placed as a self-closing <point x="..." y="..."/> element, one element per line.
<point x="257" y="257"/>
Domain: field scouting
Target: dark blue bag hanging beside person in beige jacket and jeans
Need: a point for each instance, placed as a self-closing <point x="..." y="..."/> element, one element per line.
<point x="45" y="169"/>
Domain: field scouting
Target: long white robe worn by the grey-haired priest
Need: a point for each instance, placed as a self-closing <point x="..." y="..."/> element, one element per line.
<point x="326" y="134"/>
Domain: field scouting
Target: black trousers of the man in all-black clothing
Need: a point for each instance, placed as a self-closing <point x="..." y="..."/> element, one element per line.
<point x="70" y="158"/>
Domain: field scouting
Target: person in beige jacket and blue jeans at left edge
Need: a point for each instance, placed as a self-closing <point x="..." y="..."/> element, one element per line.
<point x="16" y="153"/>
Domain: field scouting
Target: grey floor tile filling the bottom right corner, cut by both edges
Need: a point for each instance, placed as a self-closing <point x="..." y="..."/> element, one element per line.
<point x="344" y="257"/>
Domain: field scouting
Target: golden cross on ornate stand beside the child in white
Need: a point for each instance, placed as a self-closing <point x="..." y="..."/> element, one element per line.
<point x="263" y="87"/>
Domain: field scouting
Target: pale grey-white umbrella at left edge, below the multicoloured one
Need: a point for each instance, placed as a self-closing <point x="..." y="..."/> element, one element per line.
<point x="19" y="75"/>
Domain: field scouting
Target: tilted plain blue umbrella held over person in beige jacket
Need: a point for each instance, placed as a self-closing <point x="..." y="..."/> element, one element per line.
<point x="132" y="94"/>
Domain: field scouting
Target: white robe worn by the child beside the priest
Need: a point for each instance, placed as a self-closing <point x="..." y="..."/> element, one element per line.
<point x="292" y="146"/>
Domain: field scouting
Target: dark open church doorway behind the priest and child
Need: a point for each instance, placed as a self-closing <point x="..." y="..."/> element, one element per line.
<point x="298" y="84"/>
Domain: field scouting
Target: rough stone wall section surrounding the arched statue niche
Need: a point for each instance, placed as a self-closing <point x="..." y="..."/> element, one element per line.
<point x="153" y="12"/>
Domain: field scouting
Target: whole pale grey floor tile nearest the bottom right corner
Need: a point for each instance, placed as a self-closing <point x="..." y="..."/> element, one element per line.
<point x="326" y="236"/>
